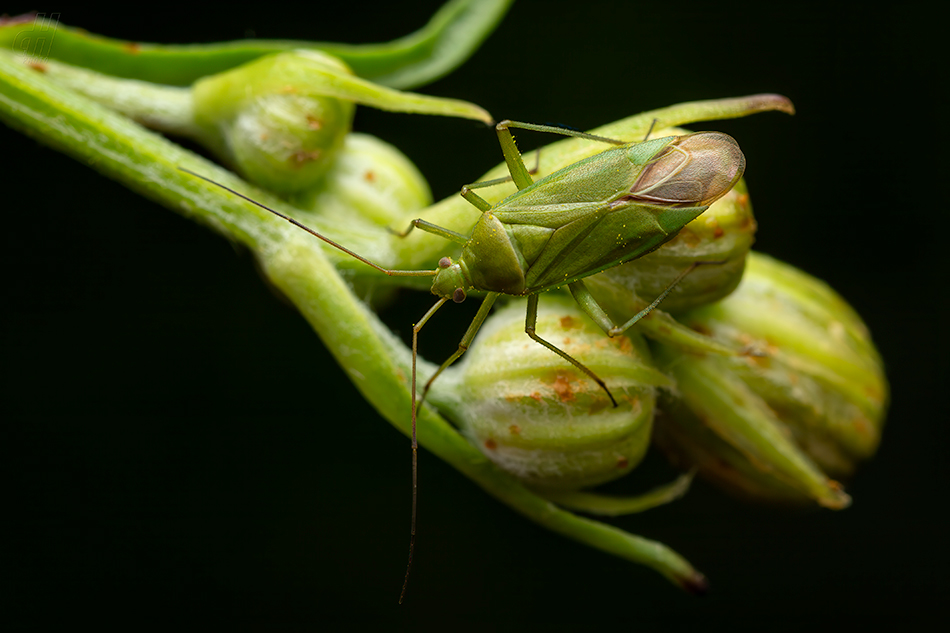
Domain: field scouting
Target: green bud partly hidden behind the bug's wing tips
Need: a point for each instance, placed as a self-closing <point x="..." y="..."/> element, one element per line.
<point x="723" y="234"/>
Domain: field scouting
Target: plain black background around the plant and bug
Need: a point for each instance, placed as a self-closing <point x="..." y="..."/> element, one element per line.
<point x="182" y="448"/>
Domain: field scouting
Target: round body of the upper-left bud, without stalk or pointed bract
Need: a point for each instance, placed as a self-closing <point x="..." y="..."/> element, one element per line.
<point x="273" y="121"/>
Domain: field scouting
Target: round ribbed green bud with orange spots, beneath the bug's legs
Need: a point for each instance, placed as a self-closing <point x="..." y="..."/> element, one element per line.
<point x="543" y="420"/>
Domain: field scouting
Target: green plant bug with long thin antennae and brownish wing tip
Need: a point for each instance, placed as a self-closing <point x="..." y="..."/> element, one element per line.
<point x="600" y="212"/>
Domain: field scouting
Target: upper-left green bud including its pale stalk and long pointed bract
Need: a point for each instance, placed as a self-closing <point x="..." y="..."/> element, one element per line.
<point x="280" y="120"/>
